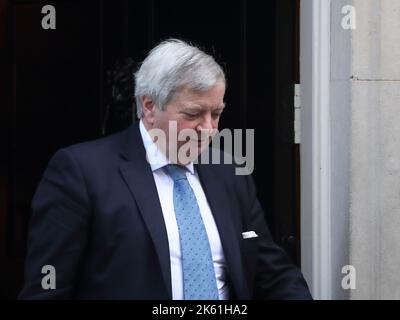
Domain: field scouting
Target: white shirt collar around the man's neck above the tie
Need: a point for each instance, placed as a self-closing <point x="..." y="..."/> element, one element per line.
<point x="156" y="158"/>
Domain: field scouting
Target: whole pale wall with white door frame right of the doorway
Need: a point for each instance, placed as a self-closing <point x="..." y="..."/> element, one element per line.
<point x="350" y="148"/>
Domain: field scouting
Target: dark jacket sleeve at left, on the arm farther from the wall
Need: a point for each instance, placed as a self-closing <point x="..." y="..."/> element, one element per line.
<point x="58" y="227"/>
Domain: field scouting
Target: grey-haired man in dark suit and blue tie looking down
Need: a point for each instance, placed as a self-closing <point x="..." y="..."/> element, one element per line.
<point x="129" y="216"/>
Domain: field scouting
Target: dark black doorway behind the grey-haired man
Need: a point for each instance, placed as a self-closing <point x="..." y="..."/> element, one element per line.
<point x="57" y="92"/>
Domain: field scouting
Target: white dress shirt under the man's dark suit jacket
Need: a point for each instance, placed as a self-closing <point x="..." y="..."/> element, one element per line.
<point x="165" y="184"/>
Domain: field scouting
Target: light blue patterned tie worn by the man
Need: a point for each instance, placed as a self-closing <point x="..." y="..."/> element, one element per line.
<point x="199" y="281"/>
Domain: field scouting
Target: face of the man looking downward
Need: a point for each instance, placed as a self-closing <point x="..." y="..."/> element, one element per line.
<point x="195" y="115"/>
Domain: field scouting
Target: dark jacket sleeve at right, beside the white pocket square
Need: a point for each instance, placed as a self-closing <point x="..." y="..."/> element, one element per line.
<point x="275" y="277"/>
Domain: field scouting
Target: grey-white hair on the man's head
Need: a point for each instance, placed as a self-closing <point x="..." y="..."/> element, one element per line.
<point x="171" y="66"/>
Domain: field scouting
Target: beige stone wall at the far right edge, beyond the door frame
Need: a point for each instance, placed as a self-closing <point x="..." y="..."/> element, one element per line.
<point x="375" y="150"/>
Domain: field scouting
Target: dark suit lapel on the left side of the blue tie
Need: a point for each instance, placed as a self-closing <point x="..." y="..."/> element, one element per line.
<point x="137" y="174"/>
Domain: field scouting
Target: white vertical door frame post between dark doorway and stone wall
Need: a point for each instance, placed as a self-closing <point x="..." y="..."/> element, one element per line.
<point x="315" y="146"/>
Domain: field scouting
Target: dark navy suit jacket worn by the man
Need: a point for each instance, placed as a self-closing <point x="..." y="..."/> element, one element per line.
<point x="97" y="219"/>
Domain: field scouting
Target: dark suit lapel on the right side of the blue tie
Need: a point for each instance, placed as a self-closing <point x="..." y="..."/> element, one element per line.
<point x="219" y="203"/>
